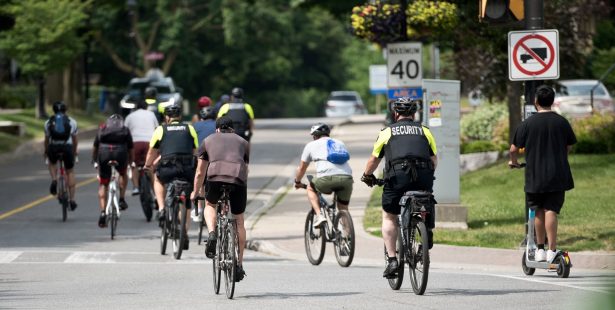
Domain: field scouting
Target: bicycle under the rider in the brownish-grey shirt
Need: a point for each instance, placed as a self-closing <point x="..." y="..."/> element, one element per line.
<point x="227" y="244"/>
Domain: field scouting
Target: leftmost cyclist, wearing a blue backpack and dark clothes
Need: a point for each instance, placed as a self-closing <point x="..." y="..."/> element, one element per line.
<point x="61" y="138"/>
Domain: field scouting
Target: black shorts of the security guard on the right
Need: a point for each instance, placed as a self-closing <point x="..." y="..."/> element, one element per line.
<point x="399" y="183"/>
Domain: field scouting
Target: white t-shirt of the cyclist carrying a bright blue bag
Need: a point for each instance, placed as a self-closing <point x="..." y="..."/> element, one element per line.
<point x="317" y="151"/>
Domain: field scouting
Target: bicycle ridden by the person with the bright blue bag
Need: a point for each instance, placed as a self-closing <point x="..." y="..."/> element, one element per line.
<point x="338" y="229"/>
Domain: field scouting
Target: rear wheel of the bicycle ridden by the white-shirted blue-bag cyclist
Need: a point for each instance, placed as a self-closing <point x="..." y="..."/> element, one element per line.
<point x="344" y="238"/>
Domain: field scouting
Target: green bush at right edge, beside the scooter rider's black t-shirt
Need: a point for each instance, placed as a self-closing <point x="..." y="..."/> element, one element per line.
<point x="595" y="134"/>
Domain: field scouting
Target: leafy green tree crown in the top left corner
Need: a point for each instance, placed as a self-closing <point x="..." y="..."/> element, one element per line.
<point x="45" y="36"/>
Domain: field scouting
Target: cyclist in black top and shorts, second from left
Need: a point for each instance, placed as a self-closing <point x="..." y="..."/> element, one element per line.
<point x="113" y="142"/>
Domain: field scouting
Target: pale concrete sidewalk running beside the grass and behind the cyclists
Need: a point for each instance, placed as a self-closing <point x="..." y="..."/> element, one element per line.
<point x="278" y="228"/>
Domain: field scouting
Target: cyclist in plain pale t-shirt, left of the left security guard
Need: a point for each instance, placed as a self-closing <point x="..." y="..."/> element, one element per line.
<point x="141" y="124"/>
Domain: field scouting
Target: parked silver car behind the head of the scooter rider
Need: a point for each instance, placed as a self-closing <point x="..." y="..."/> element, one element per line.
<point x="572" y="97"/>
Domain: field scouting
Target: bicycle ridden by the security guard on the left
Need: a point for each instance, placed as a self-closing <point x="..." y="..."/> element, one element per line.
<point x="174" y="221"/>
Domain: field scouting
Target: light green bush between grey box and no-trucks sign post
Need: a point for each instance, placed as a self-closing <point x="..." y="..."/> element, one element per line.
<point x="480" y="124"/>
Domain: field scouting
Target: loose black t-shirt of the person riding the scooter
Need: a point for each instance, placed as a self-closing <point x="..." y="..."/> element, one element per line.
<point x="545" y="137"/>
